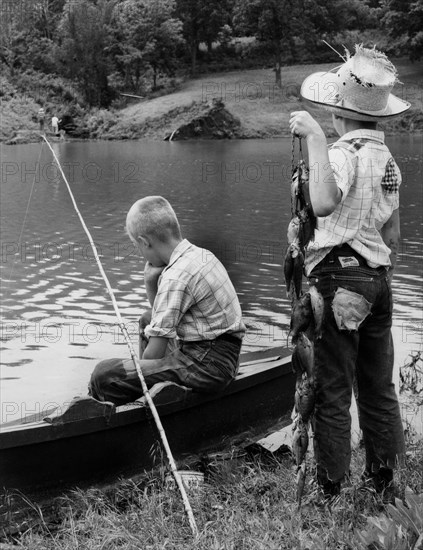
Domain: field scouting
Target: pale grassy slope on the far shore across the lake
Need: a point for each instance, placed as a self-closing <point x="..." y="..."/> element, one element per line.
<point x="251" y="96"/>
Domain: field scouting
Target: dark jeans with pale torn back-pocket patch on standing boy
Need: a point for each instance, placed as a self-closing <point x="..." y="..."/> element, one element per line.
<point x="356" y="345"/>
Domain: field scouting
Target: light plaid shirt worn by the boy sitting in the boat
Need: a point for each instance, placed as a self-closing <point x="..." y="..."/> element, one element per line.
<point x="195" y="299"/>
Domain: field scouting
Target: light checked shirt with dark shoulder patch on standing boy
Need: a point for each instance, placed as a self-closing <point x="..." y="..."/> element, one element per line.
<point x="369" y="180"/>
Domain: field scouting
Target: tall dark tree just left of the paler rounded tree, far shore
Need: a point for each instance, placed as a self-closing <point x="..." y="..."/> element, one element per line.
<point x="85" y="34"/>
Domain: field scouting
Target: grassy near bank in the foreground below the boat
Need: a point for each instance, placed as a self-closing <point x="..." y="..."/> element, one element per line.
<point x="247" y="506"/>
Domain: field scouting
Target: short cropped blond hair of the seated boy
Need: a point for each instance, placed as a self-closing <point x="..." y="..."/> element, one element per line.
<point x="152" y="217"/>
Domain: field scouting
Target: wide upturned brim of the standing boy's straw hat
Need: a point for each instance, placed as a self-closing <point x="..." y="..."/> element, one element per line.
<point x="319" y="90"/>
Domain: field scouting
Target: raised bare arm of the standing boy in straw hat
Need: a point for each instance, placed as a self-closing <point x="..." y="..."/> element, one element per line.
<point x="324" y="191"/>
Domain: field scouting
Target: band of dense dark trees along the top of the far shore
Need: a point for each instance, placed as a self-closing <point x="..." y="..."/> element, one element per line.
<point x="86" y="52"/>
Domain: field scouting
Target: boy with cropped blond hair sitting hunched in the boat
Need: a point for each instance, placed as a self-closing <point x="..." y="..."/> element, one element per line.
<point x="195" y="333"/>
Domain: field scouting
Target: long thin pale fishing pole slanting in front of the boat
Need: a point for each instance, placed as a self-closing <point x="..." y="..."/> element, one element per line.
<point x="134" y="357"/>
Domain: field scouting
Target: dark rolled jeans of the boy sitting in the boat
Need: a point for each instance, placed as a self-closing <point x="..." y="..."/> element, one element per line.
<point x="205" y="366"/>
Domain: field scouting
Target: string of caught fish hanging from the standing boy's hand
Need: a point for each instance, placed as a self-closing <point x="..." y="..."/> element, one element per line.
<point x="306" y="312"/>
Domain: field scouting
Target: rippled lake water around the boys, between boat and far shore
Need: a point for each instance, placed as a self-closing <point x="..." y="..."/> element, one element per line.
<point x="231" y="197"/>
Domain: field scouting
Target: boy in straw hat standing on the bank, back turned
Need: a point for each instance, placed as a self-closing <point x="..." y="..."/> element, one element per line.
<point x="354" y="190"/>
